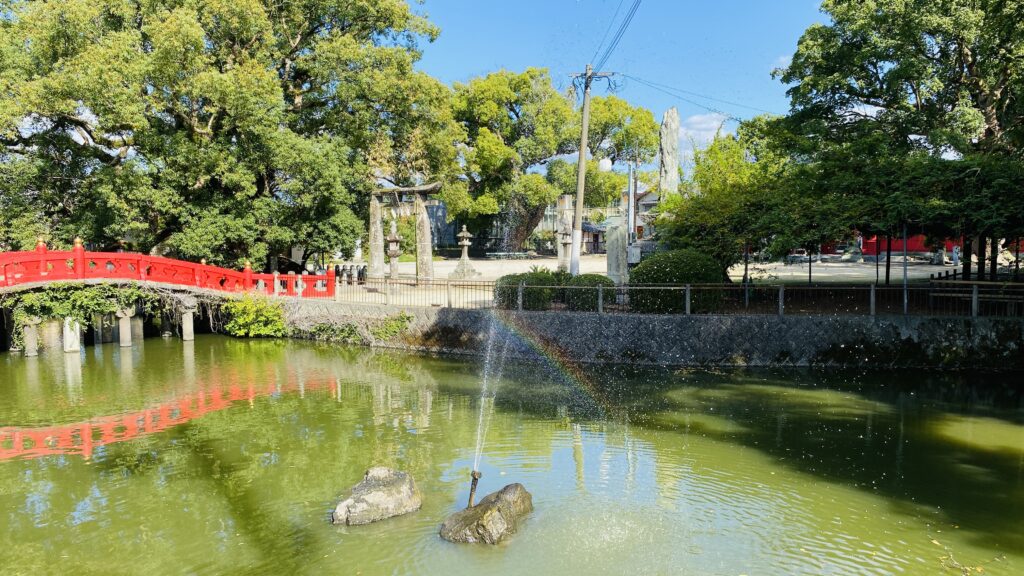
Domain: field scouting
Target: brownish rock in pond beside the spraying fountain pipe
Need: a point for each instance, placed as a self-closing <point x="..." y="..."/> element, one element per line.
<point x="495" y="518"/>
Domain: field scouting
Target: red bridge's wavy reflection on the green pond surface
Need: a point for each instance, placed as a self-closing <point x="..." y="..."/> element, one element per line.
<point x="83" y="438"/>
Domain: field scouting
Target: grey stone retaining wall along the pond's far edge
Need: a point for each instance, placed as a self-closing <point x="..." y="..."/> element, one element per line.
<point x="689" y="341"/>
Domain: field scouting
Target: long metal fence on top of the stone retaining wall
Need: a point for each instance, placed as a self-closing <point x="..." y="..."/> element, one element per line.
<point x="936" y="299"/>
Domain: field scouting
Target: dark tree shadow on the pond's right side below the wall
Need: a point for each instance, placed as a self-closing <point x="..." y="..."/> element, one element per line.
<point x="954" y="444"/>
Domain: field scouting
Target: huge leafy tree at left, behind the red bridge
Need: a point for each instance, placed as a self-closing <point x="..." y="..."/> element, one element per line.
<point x="225" y="130"/>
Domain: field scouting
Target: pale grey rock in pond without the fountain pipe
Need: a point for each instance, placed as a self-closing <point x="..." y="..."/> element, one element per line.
<point x="382" y="493"/>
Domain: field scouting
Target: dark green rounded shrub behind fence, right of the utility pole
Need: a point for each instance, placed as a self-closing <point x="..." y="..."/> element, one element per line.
<point x="676" y="268"/>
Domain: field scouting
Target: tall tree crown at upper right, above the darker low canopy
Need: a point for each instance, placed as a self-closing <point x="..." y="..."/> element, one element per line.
<point x="940" y="76"/>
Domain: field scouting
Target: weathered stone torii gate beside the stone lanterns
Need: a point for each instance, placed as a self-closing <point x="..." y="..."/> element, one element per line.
<point x="424" y="243"/>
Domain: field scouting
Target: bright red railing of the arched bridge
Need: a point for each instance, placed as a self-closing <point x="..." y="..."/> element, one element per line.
<point x="46" y="266"/>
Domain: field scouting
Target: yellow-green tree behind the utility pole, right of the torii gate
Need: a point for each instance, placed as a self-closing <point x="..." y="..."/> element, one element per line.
<point x="518" y="125"/>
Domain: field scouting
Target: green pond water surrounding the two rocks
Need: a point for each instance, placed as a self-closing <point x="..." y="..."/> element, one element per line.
<point x="225" y="457"/>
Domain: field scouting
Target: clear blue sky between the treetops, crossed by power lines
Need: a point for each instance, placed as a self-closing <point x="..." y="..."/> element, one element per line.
<point x="726" y="50"/>
